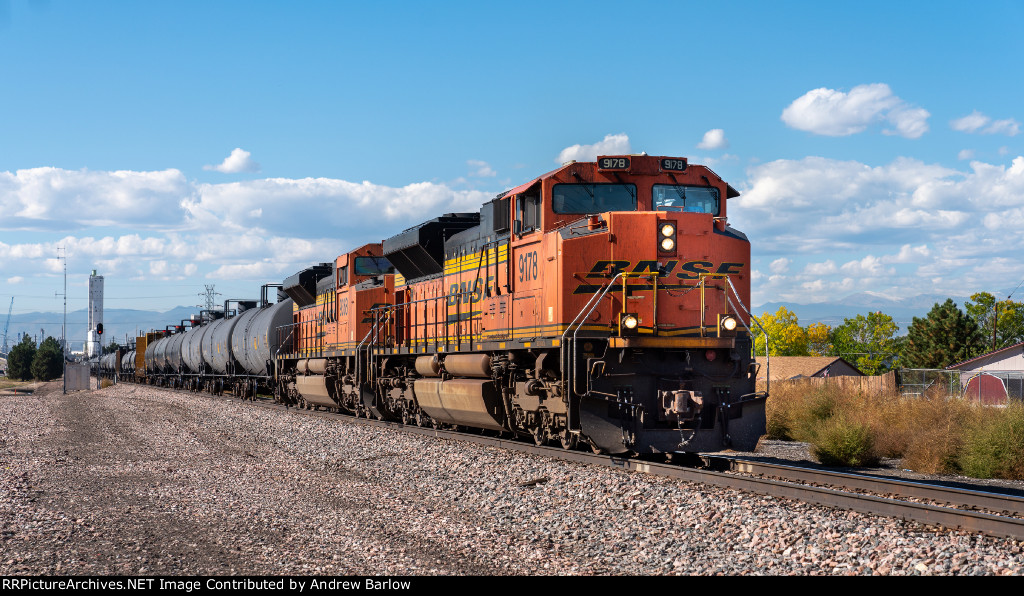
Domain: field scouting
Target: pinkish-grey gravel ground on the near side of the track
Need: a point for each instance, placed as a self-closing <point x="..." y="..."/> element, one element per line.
<point x="136" y="481"/>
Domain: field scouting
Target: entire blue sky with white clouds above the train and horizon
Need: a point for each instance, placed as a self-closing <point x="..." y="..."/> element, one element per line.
<point x="176" y="145"/>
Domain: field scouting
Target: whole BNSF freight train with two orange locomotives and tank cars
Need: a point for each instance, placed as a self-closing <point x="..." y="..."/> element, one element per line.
<point x="603" y="305"/>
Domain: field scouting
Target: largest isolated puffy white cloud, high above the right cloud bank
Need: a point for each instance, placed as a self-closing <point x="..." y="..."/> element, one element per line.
<point x="834" y="113"/>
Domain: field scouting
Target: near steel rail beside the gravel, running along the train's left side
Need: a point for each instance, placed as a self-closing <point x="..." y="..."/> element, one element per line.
<point x="949" y="518"/>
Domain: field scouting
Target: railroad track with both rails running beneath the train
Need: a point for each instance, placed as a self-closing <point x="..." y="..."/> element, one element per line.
<point x="956" y="508"/>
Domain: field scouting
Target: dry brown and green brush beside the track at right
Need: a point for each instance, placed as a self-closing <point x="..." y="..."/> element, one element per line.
<point x="931" y="434"/>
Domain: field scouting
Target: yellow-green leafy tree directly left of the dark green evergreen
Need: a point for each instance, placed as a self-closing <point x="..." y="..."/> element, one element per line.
<point x="869" y="343"/>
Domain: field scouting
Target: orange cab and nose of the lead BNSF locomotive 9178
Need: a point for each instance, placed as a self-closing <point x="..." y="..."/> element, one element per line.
<point x="629" y="263"/>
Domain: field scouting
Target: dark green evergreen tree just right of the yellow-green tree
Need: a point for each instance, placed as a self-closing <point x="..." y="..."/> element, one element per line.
<point x="945" y="337"/>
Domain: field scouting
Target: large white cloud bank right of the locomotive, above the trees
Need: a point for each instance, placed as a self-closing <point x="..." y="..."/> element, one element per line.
<point x="901" y="227"/>
